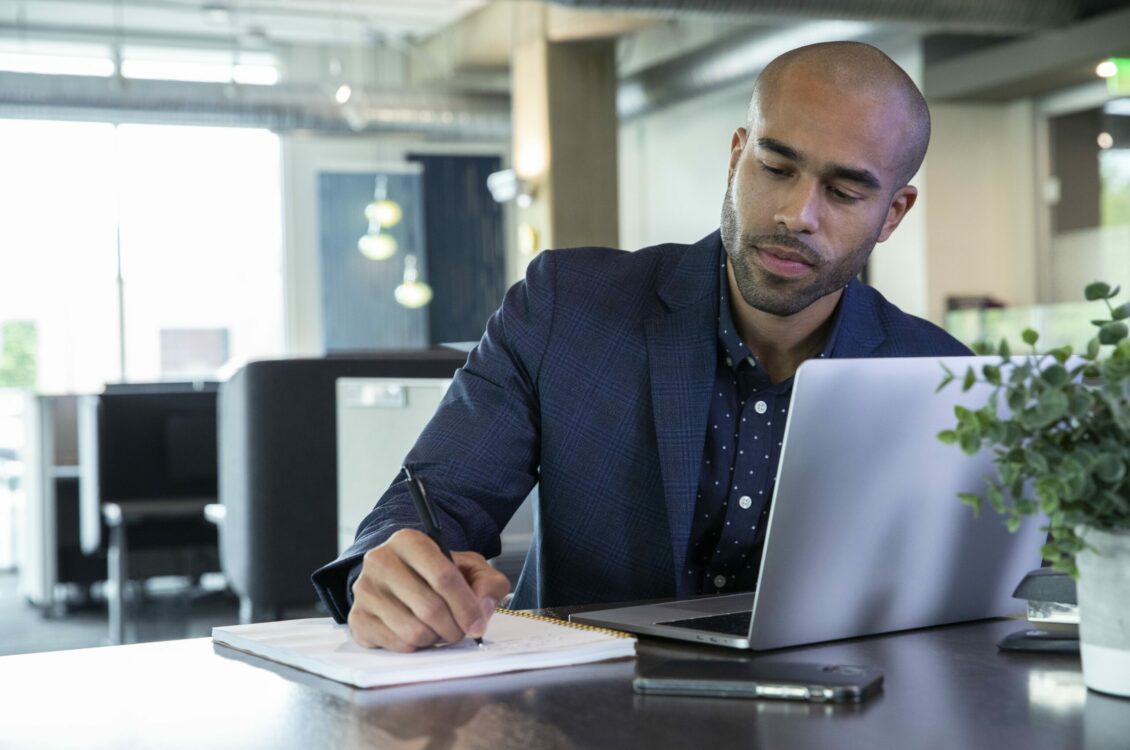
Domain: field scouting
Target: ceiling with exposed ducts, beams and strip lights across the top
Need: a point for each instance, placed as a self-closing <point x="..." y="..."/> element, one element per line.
<point x="450" y="49"/>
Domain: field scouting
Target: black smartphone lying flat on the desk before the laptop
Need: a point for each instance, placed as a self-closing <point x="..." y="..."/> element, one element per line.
<point x="759" y="679"/>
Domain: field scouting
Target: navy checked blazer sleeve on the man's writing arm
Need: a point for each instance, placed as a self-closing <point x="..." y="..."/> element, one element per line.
<point x="479" y="456"/>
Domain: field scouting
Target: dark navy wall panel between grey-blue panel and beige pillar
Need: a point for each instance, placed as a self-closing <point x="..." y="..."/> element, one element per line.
<point x="466" y="259"/>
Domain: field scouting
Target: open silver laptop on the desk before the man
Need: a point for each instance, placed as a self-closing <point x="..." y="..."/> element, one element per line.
<point x="866" y="534"/>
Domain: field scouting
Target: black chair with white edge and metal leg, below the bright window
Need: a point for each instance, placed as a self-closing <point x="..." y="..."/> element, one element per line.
<point x="149" y="468"/>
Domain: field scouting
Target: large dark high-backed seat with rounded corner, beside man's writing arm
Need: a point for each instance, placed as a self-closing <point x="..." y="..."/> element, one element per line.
<point x="279" y="472"/>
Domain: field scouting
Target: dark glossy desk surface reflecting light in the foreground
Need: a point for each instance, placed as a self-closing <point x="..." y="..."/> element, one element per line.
<point x="946" y="688"/>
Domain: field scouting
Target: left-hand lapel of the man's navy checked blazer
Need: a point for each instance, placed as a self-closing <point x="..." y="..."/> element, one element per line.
<point x="683" y="359"/>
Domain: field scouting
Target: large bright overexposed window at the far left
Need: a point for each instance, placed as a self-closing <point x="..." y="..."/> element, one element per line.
<point x="196" y="213"/>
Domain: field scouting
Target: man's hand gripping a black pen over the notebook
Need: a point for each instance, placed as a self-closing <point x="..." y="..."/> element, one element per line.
<point x="410" y="596"/>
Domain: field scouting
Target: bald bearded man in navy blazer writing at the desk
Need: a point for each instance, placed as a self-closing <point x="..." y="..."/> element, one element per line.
<point x="646" y="394"/>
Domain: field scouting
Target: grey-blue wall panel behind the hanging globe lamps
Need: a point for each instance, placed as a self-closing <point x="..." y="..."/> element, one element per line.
<point x="359" y="310"/>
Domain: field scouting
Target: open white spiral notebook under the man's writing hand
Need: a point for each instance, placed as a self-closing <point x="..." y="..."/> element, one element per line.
<point x="514" y="642"/>
